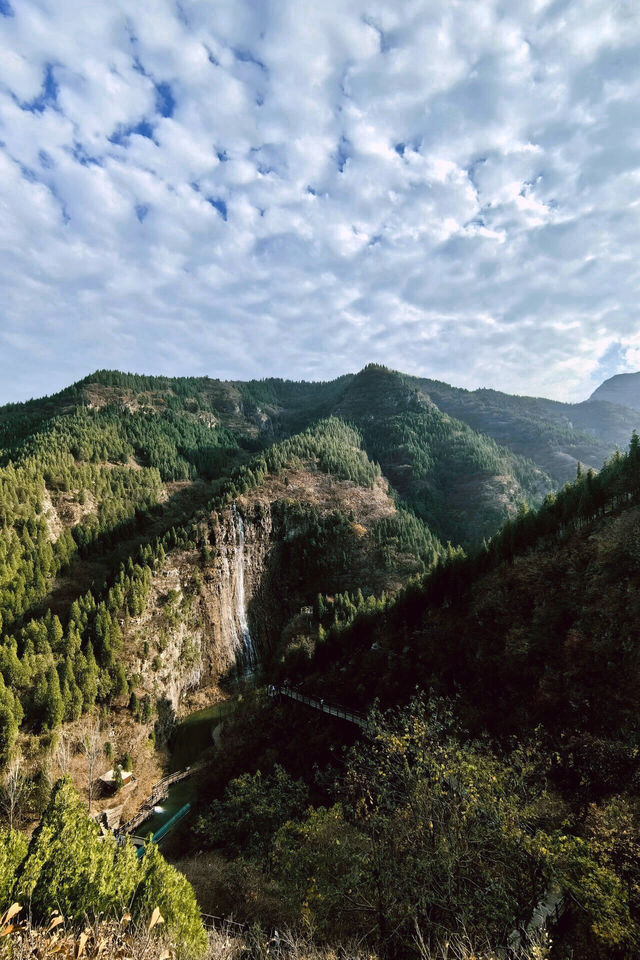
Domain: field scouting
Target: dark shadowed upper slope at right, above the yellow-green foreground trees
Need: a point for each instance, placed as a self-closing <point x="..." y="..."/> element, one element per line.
<point x="539" y="627"/>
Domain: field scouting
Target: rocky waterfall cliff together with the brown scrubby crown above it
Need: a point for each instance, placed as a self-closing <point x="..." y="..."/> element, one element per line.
<point x="215" y="611"/>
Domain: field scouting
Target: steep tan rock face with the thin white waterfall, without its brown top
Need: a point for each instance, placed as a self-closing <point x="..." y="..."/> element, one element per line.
<point x="208" y="614"/>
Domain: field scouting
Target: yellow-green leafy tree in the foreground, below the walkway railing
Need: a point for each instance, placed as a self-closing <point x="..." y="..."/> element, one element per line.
<point x="440" y="829"/>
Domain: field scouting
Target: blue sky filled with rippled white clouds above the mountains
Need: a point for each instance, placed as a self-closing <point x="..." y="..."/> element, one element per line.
<point x="294" y="188"/>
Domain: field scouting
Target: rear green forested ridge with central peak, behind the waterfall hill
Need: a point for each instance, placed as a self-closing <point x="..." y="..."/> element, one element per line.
<point x="461" y="484"/>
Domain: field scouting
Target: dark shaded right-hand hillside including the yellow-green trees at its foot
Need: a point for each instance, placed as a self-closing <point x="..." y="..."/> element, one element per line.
<point x="500" y="782"/>
